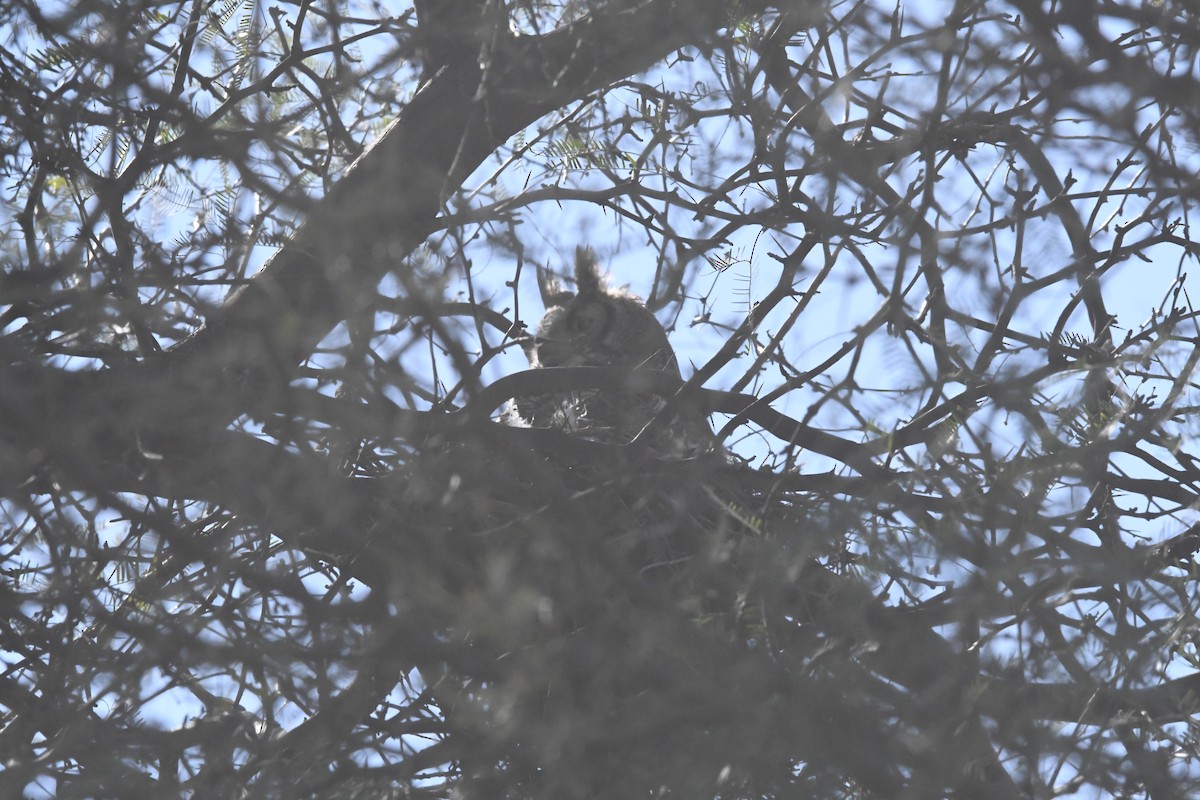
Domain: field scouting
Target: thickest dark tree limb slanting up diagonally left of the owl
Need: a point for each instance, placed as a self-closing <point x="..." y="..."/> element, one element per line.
<point x="386" y="206"/>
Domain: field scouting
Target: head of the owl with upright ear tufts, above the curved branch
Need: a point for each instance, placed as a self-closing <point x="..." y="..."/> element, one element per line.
<point x="598" y="327"/>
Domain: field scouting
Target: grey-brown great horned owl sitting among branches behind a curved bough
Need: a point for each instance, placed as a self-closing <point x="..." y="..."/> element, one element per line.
<point x="599" y="327"/>
